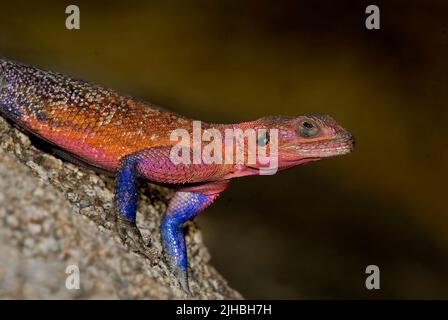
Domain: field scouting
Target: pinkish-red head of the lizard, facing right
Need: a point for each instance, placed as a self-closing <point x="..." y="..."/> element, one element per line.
<point x="301" y="139"/>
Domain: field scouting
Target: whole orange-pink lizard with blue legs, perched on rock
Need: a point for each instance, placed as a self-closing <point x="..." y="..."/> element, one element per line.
<point x="130" y="139"/>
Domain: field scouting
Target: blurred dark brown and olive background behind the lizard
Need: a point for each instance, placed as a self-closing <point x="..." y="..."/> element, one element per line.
<point x="311" y="231"/>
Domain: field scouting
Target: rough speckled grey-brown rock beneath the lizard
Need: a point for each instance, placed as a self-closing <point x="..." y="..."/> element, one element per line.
<point x="54" y="214"/>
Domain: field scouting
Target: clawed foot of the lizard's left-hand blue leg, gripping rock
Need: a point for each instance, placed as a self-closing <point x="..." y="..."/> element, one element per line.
<point x="131" y="236"/>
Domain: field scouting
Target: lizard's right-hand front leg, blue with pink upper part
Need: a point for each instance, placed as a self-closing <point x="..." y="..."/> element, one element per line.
<point x="184" y="206"/>
